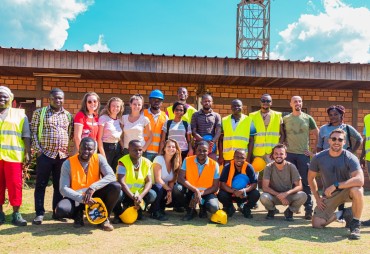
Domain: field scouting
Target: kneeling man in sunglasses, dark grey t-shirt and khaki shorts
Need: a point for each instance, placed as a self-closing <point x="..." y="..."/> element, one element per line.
<point x="342" y="180"/>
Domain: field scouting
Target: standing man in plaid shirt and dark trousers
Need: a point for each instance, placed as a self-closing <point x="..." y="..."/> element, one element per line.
<point x="51" y="129"/>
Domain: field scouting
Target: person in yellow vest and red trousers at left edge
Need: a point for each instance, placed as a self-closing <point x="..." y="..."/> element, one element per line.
<point x="15" y="149"/>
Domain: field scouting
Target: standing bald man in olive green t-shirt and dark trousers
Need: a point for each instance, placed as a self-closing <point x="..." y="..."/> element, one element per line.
<point x="298" y="126"/>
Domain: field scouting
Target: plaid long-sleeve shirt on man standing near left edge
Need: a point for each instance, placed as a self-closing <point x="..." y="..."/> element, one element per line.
<point x="55" y="134"/>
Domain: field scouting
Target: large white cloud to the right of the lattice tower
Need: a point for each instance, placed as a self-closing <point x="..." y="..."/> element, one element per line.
<point x="338" y="34"/>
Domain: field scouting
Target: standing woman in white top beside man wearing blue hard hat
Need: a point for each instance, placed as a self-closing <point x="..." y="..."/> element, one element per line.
<point x="135" y="125"/>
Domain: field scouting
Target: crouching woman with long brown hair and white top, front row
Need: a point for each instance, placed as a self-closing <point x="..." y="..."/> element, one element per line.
<point x="165" y="169"/>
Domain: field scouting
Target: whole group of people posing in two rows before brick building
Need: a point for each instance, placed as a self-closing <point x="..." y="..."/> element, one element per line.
<point x="182" y="157"/>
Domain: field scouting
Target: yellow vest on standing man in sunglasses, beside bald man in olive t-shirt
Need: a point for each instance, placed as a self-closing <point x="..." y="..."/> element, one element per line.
<point x="265" y="140"/>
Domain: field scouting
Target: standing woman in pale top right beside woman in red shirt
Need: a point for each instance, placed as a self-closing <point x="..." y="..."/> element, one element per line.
<point x="110" y="131"/>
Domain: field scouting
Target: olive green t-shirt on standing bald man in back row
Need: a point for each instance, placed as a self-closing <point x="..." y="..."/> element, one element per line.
<point x="297" y="129"/>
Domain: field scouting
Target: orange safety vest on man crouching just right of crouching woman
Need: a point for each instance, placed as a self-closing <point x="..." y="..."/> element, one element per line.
<point x="203" y="181"/>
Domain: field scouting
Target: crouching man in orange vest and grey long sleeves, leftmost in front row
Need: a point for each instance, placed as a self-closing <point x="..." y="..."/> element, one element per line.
<point x="84" y="177"/>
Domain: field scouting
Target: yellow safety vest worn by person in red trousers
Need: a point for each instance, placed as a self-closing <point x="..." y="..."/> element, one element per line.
<point x="11" y="142"/>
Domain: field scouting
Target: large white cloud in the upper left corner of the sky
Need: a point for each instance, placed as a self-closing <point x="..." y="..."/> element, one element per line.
<point x="38" y="23"/>
